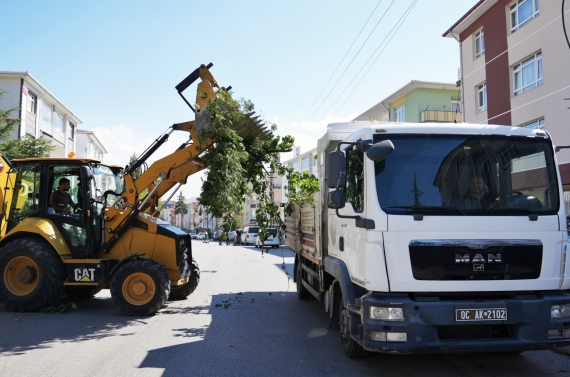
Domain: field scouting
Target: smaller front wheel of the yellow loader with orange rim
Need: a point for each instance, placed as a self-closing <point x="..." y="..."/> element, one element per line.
<point x="140" y="287"/>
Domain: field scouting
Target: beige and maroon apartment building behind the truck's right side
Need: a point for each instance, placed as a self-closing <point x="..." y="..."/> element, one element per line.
<point x="514" y="68"/>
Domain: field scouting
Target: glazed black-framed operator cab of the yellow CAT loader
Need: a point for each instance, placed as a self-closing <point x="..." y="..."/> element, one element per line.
<point x="36" y="181"/>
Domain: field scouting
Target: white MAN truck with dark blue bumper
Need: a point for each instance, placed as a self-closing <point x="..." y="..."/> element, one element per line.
<point x="430" y="238"/>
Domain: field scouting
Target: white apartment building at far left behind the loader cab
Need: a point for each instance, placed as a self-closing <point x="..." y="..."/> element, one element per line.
<point x="41" y="114"/>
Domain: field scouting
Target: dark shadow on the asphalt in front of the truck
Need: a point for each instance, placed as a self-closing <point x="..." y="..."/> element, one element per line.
<point x="275" y="334"/>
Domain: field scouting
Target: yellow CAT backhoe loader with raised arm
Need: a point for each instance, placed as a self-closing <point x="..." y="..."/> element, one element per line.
<point x="112" y="239"/>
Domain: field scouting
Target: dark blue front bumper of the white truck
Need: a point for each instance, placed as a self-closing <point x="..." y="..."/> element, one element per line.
<point x="430" y="325"/>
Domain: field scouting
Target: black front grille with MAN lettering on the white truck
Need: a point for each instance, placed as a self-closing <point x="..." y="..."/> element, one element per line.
<point x="476" y="259"/>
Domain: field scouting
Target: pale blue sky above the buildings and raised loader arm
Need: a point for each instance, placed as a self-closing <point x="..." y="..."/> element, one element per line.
<point x="304" y="64"/>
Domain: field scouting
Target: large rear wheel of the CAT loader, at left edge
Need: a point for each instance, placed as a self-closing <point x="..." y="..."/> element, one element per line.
<point x="32" y="275"/>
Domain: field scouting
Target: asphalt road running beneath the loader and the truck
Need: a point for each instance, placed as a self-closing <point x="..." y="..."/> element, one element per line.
<point x="243" y="320"/>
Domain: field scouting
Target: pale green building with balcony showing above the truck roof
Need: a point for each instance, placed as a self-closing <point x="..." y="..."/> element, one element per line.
<point x="418" y="102"/>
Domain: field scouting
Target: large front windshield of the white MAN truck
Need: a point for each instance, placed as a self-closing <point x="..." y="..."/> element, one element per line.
<point x="467" y="175"/>
